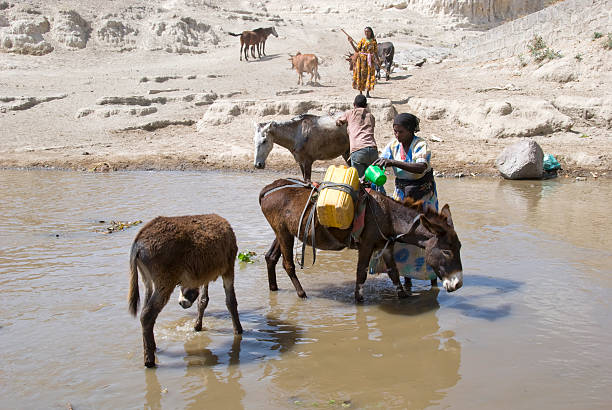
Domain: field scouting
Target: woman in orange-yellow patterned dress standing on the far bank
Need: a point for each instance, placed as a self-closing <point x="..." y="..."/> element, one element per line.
<point x="364" y="69"/>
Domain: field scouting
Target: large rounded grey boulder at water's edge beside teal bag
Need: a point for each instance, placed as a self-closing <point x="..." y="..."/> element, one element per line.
<point x="522" y="160"/>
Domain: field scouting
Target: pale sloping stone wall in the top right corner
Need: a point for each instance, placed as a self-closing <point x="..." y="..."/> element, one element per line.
<point x="562" y="22"/>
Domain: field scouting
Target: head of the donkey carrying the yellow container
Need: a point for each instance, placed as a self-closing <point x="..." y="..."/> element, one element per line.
<point x="436" y="233"/>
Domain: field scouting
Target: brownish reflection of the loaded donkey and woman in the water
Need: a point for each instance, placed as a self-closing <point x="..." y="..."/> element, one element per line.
<point x="348" y="353"/>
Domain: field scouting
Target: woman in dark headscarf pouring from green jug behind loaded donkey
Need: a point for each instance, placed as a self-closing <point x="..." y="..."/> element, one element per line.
<point x="410" y="157"/>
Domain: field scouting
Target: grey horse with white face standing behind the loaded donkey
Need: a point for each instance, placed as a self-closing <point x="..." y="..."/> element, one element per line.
<point x="308" y="137"/>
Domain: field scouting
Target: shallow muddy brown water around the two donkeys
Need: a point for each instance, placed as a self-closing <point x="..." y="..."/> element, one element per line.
<point x="530" y="328"/>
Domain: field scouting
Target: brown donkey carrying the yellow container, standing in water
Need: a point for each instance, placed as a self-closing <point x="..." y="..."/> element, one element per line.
<point x="386" y="221"/>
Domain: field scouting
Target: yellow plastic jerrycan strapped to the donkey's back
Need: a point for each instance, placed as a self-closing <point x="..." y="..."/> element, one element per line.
<point x="335" y="208"/>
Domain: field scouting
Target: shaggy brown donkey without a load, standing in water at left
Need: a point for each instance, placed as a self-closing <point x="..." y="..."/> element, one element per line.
<point x="187" y="250"/>
